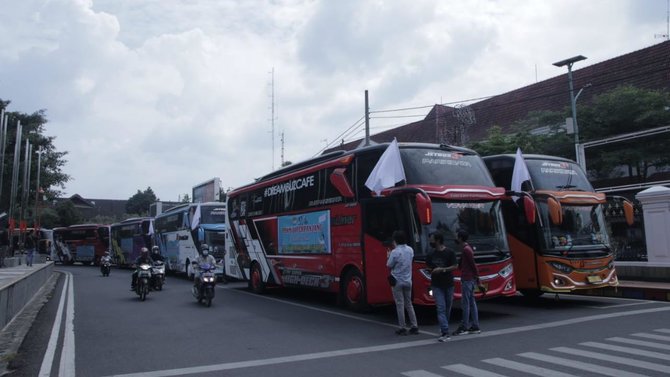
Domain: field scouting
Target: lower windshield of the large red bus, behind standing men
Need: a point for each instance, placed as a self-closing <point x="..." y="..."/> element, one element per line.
<point x="480" y="219"/>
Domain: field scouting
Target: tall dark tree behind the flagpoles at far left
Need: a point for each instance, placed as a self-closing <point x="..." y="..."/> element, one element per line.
<point x="52" y="178"/>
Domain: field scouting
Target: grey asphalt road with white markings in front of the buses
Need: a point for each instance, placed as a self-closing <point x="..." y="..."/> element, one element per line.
<point x="105" y="330"/>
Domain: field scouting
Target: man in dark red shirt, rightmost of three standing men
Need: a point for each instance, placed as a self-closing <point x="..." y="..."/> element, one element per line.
<point x="469" y="278"/>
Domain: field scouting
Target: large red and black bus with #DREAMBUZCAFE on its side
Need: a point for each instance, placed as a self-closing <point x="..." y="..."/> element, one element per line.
<point x="315" y="224"/>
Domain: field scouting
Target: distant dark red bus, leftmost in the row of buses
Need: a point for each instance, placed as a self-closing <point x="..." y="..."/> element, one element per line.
<point x="84" y="243"/>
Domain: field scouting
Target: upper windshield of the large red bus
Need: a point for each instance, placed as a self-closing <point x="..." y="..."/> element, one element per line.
<point x="440" y="167"/>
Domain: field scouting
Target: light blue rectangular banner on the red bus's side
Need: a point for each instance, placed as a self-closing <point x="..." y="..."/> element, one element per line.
<point x="307" y="233"/>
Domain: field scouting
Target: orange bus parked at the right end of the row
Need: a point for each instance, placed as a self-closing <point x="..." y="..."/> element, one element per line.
<point x="568" y="247"/>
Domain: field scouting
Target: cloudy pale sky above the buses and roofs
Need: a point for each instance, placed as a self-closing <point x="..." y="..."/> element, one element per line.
<point x="168" y="94"/>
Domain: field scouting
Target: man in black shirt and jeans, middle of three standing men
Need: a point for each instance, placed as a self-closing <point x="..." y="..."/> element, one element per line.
<point x="441" y="262"/>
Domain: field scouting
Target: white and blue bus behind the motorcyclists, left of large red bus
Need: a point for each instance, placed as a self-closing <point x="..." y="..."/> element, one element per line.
<point x="179" y="241"/>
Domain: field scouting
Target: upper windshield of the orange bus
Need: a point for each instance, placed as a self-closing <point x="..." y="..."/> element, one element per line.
<point x="561" y="175"/>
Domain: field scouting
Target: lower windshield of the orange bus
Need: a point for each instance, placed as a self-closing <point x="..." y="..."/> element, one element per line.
<point x="583" y="225"/>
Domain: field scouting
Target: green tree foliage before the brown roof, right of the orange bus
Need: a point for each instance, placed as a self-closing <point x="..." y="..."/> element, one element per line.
<point x="620" y="111"/>
